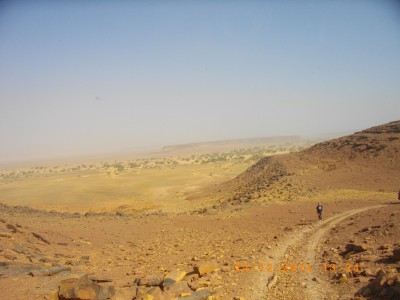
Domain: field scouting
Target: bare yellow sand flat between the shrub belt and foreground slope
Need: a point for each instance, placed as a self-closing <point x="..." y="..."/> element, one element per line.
<point x="107" y="190"/>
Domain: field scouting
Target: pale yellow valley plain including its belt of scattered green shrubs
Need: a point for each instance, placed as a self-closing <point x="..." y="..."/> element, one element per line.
<point x="140" y="177"/>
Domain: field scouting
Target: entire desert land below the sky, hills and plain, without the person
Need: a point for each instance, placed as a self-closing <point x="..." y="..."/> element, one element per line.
<point x="187" y="224"/>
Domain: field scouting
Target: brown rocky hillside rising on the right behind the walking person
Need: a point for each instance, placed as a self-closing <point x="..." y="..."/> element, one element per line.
<point x="366" y="161"/>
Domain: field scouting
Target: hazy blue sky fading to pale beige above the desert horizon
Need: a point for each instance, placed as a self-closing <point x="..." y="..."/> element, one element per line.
<point x="79" y="77"/>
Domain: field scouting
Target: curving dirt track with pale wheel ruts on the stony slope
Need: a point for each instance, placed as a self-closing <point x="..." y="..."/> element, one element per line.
<point x="292" y="271"/>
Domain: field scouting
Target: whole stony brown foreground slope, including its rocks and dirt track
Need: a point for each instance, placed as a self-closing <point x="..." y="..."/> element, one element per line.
<point x="214" y="255"/>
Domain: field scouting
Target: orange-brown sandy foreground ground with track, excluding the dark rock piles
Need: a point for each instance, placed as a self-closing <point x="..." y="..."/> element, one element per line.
<point x="124" y="248"/>
